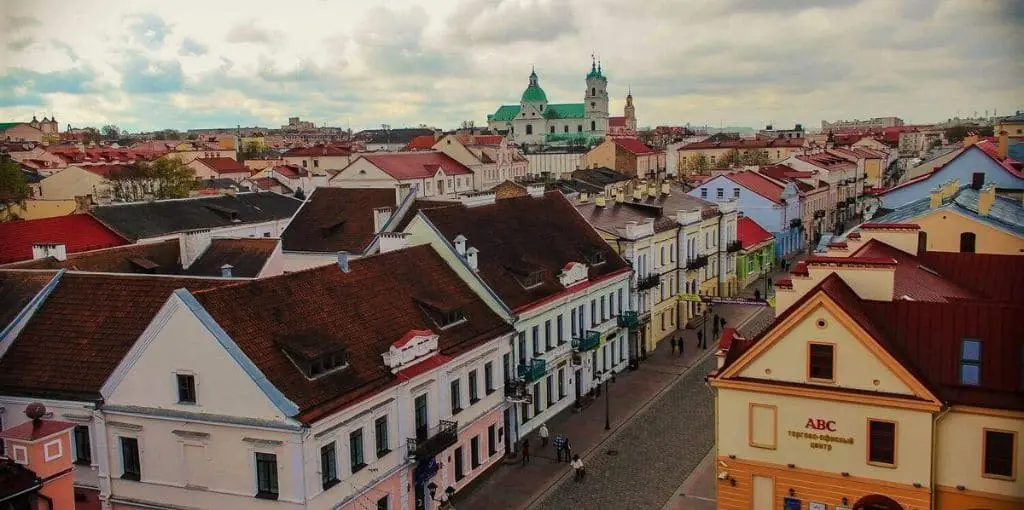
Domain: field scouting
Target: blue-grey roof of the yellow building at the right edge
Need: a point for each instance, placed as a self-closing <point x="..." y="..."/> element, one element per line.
<point x="1005" y="215"/>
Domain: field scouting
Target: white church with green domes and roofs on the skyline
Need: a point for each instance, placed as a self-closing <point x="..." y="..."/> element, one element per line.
<point x="537" y="121"/>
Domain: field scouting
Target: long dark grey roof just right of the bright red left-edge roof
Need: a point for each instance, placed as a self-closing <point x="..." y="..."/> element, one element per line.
<point x="153" y="220"/>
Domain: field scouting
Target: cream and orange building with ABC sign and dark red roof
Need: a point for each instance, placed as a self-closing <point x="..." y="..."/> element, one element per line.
<point x="859" y="398"/>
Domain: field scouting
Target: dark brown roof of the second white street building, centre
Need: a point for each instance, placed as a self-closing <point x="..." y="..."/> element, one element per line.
<point x="518" y="237"/>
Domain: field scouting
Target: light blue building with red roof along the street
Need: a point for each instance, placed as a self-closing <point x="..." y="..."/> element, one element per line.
<point x="773" y="205"/>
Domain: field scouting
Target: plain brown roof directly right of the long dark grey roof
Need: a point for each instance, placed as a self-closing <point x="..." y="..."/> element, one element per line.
<point x="336" y="220"/>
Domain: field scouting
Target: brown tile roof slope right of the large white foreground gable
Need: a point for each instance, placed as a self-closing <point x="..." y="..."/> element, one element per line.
<point x="363" y="312"/>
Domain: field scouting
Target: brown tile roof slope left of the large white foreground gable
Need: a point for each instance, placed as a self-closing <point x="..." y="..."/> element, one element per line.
<point x="83" y="330"/>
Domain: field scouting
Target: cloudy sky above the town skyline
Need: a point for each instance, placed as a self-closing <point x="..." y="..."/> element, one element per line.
<point x="151" y="65"/>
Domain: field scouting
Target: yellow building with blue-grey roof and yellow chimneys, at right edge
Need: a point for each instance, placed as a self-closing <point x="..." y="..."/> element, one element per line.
<point x="965" y="220"/>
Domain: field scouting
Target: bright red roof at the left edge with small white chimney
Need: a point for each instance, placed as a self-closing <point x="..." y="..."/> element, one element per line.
<point x="78" y="233"/>
